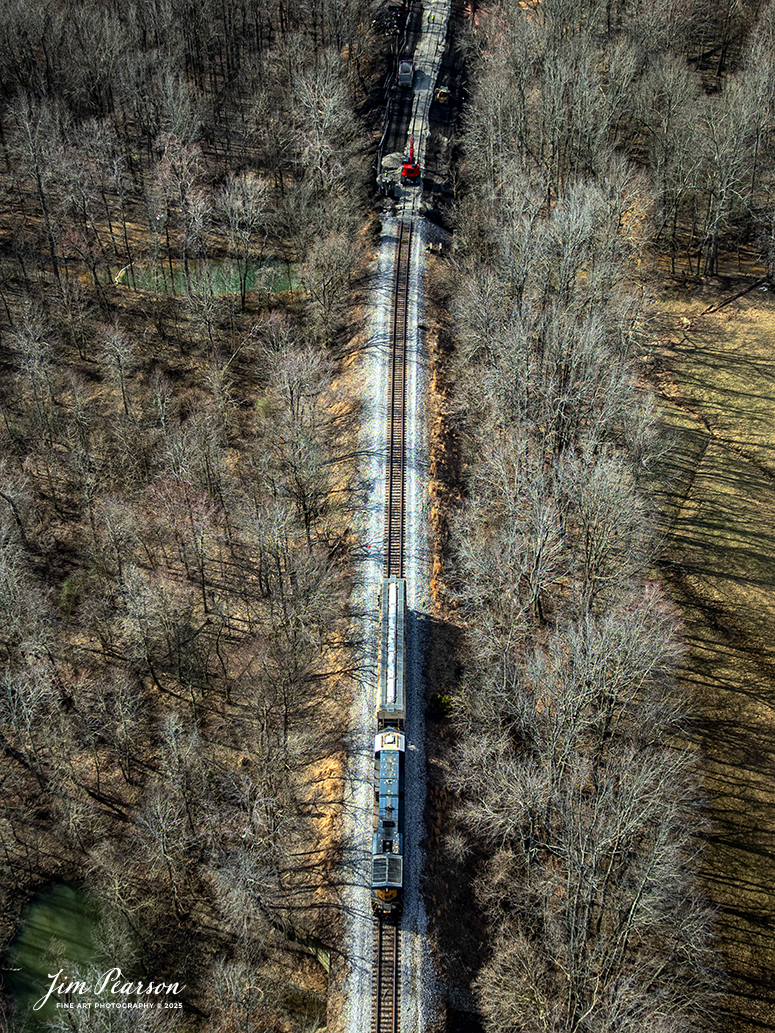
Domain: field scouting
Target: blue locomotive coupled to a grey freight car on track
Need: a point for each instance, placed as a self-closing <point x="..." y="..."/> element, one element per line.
<point x="390" y="748"/>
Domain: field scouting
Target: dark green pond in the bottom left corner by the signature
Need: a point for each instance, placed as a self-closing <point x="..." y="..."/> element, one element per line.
<point x="56" y="933"/>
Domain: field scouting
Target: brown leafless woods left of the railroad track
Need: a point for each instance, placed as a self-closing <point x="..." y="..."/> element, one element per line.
<point x="174" y="482"/>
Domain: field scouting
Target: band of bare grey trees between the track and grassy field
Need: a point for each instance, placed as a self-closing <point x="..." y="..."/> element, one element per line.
<point x="606" y="145"/>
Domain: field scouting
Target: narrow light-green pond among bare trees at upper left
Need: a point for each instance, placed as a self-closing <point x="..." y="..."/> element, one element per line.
<point x="218" y="276"/>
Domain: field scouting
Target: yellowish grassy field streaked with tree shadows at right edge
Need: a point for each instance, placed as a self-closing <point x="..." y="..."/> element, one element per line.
<point x="715" y="371"/>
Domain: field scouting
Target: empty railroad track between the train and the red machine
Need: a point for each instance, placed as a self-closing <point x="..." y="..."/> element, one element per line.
<point x="394" y="553"/>
